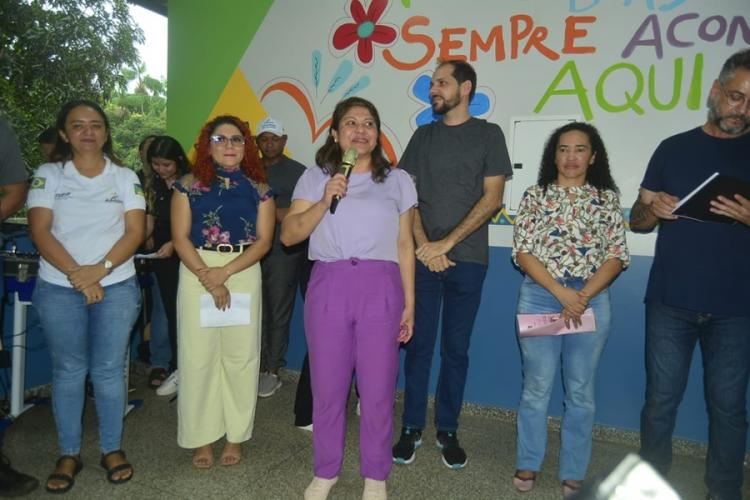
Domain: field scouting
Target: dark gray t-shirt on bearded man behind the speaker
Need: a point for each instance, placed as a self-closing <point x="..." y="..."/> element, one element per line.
<point x="449" y="164"/>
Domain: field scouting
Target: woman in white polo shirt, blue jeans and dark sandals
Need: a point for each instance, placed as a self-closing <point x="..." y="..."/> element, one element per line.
<point x="86" y="217"/>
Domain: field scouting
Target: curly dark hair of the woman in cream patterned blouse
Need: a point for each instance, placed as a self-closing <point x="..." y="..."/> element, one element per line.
<point x="598" y="173"/>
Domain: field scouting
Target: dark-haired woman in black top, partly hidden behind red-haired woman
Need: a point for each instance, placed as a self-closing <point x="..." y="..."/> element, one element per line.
<point x="168" y="163"/>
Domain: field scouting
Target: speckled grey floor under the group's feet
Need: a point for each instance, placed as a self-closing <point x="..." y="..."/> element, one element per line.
<point x="278" y="459"/>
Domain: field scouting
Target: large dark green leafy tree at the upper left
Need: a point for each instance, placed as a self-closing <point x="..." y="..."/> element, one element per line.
<point x="52" y="51"/>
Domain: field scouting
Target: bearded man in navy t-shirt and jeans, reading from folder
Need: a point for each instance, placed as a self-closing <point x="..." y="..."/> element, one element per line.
<point x="698" y="287"/>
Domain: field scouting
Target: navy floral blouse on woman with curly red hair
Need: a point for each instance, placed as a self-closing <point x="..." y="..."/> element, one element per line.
<point x="226" y="210"/>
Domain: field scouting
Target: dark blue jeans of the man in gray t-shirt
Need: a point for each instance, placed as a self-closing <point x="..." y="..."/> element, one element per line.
<point x="458" y="290"/>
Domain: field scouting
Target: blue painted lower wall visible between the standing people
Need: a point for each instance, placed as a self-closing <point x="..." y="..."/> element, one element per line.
<point x="495" y="368"/>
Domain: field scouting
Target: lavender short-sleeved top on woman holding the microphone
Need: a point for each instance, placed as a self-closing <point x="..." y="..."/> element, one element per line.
<point x="366" y="221"/>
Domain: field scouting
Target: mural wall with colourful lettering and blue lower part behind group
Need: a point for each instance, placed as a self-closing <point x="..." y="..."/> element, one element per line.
<point x="640" y="70"/>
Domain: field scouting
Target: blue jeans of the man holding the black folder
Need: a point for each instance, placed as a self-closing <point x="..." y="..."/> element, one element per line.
<point x="671" y="335"/>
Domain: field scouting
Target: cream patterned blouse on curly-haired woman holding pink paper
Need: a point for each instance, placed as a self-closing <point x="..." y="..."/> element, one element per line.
<point x="572" y="238"/>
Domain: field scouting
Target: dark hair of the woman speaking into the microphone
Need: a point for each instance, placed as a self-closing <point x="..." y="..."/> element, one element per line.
<point x="329" y="156"/>
